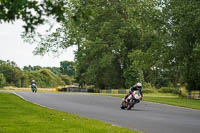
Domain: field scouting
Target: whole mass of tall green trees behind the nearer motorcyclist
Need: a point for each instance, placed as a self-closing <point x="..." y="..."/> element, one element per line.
<point x="121" y="42"/>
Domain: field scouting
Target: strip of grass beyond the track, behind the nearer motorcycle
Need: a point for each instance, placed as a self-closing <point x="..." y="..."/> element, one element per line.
<point x="170" y="99"/>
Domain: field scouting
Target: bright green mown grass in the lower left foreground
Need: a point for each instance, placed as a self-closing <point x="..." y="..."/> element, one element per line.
<point x="19" y="116"/>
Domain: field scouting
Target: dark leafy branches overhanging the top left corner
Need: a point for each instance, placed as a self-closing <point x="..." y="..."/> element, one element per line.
<point x="32" y="12"/>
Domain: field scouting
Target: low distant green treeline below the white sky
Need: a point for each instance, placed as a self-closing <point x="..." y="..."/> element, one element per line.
<point x="12" y="75"/>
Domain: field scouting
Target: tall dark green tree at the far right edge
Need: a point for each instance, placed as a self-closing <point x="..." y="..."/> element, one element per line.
<point x="183" y="24"/>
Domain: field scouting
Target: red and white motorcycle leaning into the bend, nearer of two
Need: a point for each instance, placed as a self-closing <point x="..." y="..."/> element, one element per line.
<point x="131" y="100"/>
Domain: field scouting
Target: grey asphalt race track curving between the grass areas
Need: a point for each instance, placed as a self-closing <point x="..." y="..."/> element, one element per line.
<point x="146" y="117"/>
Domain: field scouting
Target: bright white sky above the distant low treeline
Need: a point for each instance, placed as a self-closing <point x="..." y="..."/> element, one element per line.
<point x="13" y="48"/>
